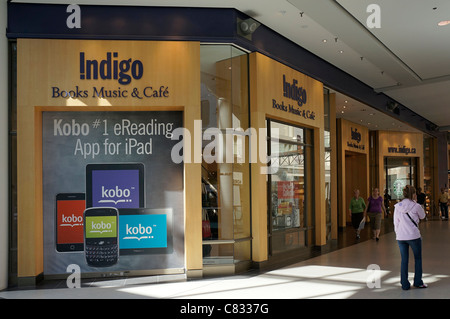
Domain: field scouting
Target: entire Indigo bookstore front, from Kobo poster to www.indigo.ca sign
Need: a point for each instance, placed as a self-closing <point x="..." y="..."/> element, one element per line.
<point x="202" y="152"/>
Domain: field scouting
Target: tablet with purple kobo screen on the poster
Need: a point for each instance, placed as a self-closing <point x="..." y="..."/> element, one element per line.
<point x="115" y="185"/>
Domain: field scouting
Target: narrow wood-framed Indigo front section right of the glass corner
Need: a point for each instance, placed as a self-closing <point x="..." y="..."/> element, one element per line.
<point x="288" y="206"/>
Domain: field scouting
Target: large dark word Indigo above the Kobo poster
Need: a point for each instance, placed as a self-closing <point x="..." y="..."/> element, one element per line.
<point x="111" y="68"/>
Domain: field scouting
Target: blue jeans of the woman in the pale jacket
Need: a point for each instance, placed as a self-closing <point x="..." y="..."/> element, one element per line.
<point x="416" y="246"/>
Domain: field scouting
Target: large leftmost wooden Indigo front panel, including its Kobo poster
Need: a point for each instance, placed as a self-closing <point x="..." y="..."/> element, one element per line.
<point x="95" y="123"/>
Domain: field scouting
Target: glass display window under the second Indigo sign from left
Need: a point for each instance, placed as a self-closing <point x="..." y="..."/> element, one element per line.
<point x="288" y="212"/>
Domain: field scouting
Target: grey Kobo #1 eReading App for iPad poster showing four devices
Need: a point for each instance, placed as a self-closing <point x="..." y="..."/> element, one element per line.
<point x="122" y="167"/>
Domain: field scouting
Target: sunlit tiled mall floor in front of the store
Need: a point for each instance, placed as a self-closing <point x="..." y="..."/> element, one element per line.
<point x="338" y="274"/>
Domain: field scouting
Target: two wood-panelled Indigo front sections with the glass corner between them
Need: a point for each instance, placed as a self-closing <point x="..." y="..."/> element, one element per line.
<point x="98" y="138"/>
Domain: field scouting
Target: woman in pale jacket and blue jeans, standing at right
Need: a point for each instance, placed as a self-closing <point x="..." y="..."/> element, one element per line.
<point x="407" y="214"/>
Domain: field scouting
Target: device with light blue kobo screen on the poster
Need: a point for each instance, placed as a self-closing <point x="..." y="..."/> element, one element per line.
<point x="145" y="231"/>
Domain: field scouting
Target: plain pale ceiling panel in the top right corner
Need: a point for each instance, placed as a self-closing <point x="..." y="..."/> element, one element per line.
<point x="409" y="28"/>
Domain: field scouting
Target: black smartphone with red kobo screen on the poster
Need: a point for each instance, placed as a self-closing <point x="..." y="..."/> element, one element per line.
<point x="69" y="222"/>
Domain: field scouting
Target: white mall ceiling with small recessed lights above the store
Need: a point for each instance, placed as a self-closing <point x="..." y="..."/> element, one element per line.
<point x="408" y="58"/>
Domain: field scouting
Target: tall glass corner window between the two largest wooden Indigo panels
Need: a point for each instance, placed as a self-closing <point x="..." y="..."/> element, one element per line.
<point x="226" y="186"/>
